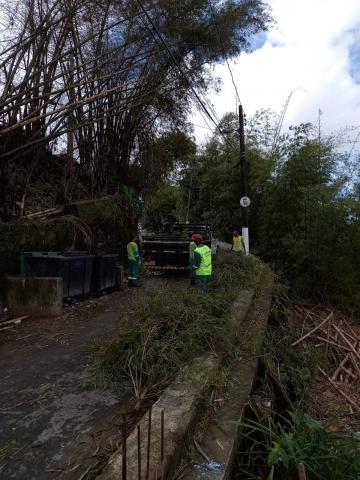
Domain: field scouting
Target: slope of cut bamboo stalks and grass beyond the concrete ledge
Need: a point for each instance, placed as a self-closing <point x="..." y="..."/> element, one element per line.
<point x="311" y="352"/>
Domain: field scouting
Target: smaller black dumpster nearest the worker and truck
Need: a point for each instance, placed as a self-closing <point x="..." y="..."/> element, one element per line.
<point x="104" y="273"/>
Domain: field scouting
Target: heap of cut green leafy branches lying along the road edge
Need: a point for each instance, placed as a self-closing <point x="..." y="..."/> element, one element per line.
<point x="174" y="324"/>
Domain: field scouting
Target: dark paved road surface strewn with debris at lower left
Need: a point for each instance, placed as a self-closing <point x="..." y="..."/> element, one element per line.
<point x="51" y="424"/>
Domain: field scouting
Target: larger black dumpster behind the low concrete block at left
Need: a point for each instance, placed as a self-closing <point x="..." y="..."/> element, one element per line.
<point x="74" y="269"/>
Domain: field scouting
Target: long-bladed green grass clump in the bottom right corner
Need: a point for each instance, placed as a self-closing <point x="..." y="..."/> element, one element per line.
<point x="287" y="442"/>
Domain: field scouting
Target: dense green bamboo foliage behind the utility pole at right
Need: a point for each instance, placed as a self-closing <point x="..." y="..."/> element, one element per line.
<point x="303" y="216"/>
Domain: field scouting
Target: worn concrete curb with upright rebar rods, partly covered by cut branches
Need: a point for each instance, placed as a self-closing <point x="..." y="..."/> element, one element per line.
<point x="181" y="403"/>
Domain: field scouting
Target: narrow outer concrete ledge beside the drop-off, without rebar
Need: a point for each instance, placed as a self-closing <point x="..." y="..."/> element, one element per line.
<point x="220" y="441"/>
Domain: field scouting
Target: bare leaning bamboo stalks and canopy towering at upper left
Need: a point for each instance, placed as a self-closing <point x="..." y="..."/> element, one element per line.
<point x="86" y="85"/>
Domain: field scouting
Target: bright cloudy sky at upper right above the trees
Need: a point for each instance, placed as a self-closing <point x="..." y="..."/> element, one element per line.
<point x="313" y="51"/>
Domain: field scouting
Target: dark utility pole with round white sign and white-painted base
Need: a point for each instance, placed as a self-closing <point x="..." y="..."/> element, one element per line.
<point x="244" y="201"/>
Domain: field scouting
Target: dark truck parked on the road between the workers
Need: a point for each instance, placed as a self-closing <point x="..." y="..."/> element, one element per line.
<point x="169" y="248"/>
